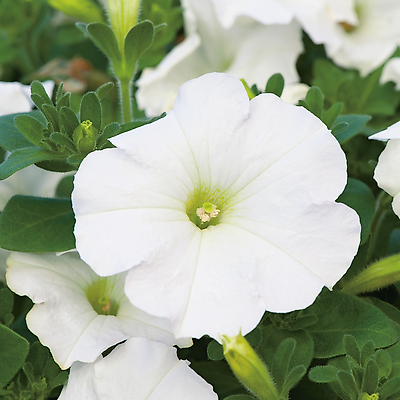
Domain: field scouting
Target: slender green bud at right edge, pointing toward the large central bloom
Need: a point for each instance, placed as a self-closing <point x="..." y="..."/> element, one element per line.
<point x="380" y="274"/>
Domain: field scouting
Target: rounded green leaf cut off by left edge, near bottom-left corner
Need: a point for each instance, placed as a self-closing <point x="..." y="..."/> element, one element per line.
<point x="13" y="351"/>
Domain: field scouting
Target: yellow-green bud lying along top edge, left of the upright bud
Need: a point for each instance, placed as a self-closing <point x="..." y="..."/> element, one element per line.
<point x="84" y="10"/>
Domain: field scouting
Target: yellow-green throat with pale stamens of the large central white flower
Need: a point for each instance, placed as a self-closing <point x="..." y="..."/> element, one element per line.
<point x="204" y="207"/>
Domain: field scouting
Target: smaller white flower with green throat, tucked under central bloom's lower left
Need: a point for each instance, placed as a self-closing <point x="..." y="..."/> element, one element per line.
<point x="79" y="314"/>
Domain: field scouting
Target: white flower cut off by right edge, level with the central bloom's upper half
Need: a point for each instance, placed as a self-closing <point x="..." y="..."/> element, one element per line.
<point x="387" y="172"/>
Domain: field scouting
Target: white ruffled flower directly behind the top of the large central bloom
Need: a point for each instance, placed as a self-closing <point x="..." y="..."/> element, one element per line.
<point x="250" y="51"/>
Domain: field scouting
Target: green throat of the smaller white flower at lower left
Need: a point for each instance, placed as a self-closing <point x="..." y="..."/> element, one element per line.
<point x="101" y="297"/>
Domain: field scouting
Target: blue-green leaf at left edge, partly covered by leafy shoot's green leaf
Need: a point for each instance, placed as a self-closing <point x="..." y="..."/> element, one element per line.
<point x="10" y="137"/>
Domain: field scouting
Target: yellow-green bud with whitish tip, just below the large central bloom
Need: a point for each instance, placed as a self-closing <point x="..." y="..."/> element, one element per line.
<point x="248" y="367"/>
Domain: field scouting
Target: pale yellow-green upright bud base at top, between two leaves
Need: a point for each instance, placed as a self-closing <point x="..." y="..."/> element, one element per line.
<point x="123" y="16"/>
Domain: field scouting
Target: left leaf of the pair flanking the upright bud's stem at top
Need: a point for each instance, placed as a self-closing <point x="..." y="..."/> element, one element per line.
<point x="104" y="38"/>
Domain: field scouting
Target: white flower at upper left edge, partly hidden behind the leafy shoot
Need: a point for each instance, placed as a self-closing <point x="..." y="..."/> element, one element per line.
<point x="15" y="97"/>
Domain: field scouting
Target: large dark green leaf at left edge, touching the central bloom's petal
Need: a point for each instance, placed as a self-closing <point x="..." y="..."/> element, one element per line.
<point x="34" y="224"/>
